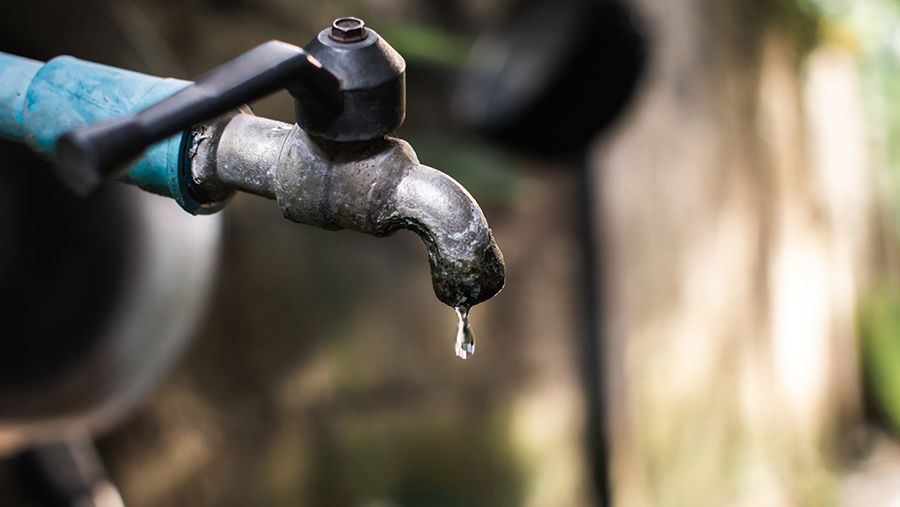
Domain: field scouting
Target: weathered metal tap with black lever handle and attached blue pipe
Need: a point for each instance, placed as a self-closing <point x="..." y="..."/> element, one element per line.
<point x="336" y="168"/>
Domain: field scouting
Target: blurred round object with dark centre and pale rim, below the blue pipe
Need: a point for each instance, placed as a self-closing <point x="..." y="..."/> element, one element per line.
<point x="100" y="296"/>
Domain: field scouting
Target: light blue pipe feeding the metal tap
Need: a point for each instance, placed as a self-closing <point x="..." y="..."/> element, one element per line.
<point x="41" y="101"/>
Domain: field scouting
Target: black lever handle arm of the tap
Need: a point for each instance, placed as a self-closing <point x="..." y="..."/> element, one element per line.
<point x="89" y="155"/>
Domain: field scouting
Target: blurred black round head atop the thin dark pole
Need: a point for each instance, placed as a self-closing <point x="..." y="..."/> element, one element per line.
<point x="559" y="73"/>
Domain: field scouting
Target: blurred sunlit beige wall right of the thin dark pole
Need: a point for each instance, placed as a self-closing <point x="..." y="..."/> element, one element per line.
<point x="736" y="210"/>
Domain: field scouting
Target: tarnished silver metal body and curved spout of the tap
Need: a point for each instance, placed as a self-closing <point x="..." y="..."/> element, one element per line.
<point x="375" y="187"/>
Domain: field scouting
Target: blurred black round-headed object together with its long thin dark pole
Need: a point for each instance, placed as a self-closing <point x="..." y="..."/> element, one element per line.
<point x="548" y="84"/>
